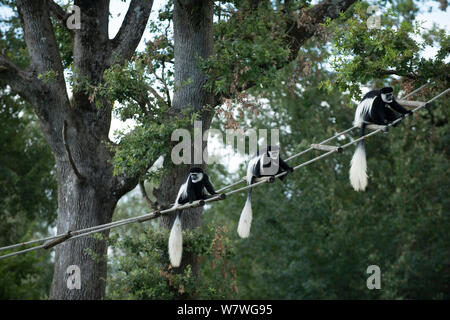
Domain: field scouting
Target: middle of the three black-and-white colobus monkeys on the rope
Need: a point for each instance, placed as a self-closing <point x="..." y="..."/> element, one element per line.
<point x="266" y="162"/>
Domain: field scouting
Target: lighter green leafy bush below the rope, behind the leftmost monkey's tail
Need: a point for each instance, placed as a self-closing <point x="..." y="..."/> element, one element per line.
<point x="141" y="270"/>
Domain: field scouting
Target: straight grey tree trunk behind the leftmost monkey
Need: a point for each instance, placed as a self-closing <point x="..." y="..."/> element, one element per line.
<point x="193" y="38"/>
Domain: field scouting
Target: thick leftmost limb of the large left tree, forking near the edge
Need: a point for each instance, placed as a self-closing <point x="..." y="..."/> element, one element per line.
<point x="48" y="97"/>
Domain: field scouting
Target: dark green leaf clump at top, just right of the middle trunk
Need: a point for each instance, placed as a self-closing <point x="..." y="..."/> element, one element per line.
<point x="250" y="47"/>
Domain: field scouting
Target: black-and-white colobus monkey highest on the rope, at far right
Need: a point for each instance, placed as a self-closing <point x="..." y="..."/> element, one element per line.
<point x="376" y="107"/>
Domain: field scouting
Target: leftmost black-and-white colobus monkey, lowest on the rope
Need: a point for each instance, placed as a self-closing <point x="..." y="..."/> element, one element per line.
<point x="191" y="190"/>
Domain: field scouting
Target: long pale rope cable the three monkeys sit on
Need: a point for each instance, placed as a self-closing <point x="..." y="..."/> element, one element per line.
<point x="95" y="229"/>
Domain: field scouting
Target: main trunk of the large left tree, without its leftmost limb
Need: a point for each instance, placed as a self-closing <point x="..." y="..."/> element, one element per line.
<point x="87" y="189"/>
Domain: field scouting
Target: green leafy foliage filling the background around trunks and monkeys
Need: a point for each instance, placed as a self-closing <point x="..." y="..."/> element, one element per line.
<point x="312" y="236"/>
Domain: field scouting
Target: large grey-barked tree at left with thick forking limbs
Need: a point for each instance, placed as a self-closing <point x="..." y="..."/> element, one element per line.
<point x="87" y="189"/>
